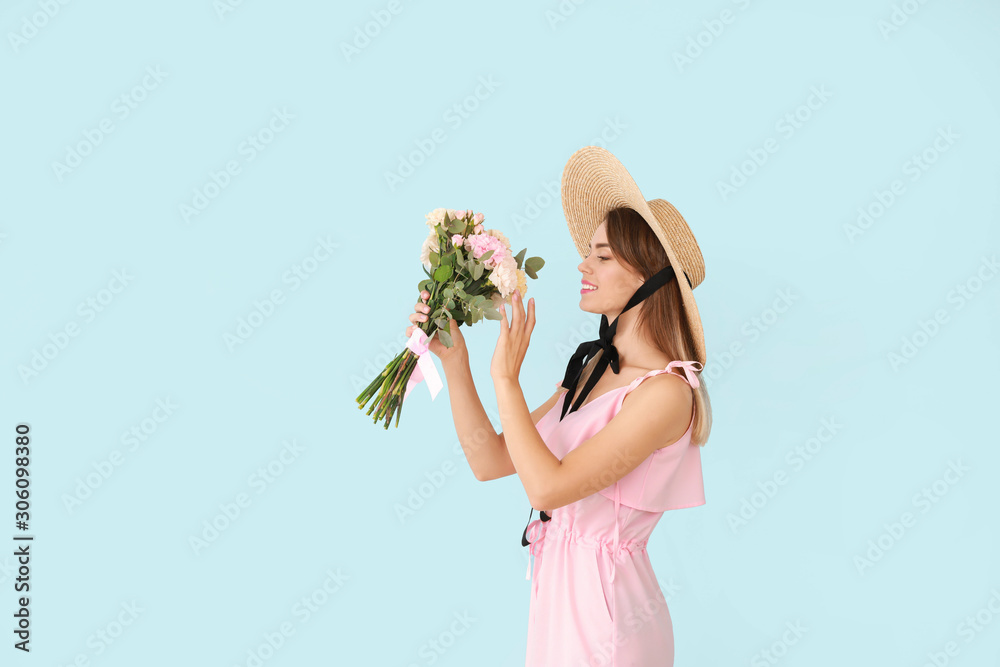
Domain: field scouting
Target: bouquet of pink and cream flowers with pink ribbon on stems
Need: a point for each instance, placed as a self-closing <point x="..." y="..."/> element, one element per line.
<point x="470" y="272"/>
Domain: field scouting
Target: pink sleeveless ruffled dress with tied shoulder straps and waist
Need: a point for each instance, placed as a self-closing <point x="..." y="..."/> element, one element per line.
<point x="581" y="596"/>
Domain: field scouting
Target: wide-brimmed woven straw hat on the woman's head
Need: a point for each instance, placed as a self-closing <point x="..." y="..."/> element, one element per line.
<point x="595" y="182"/>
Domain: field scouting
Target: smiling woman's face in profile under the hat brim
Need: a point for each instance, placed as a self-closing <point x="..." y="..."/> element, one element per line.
<point x="614" y="281"/>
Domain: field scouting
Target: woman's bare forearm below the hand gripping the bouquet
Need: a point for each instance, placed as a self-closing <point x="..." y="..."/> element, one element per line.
<point x="481" y="443"/>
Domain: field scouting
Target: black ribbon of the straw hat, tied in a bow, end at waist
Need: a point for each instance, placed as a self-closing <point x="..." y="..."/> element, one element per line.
<point x="589" y="349"/>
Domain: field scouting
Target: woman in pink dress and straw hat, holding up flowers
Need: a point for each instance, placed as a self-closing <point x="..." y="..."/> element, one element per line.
<point x="587" y="451"/>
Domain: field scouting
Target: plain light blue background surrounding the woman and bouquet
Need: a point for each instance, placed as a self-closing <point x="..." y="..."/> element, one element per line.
<point x="562" y="75"/>
